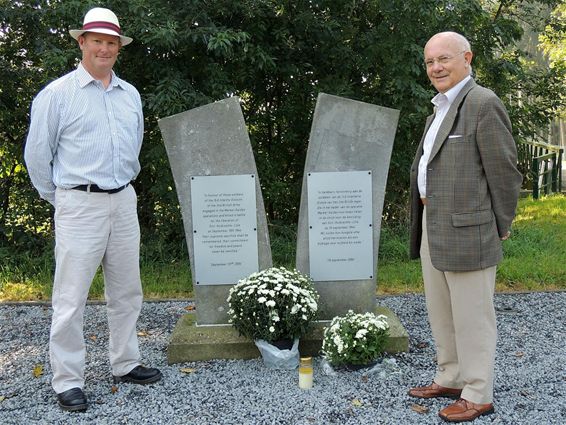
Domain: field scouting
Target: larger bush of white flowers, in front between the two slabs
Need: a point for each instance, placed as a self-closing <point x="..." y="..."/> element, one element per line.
<point x="273" y="304"/>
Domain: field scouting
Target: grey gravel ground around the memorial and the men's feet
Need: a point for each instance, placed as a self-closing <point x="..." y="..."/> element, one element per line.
<point x="530" y="383"/>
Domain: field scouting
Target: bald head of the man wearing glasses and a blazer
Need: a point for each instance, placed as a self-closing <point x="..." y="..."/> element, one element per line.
<point x="446" y="62"/>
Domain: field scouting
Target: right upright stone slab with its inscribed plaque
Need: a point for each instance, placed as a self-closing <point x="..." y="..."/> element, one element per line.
<point x="344" y="183"/>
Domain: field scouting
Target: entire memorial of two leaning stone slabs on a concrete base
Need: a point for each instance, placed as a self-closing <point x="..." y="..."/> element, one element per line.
<point x="215" y="177"/>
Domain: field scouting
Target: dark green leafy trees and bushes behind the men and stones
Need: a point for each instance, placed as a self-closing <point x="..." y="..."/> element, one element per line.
<point x="276" y="56"/>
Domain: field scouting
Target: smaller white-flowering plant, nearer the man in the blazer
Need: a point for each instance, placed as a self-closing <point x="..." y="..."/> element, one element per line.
<point x="355" y="340"/>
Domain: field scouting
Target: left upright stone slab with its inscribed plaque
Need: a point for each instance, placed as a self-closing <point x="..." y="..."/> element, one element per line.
<point x="221" y="203"/>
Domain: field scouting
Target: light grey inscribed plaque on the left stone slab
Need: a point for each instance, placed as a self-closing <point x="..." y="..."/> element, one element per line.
<point x="224" y="228"/>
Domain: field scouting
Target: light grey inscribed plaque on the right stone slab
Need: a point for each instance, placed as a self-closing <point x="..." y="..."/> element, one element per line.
<point x="340" y="225"/>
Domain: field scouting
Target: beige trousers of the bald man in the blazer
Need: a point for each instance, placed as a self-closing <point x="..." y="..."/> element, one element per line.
<point x="462" y="318"/>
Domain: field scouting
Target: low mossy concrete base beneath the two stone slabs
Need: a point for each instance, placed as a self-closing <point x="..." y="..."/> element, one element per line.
<point x="190" y="342"/>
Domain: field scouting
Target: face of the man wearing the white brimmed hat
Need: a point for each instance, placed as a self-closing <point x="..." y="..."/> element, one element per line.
<point x="100" y="52"/>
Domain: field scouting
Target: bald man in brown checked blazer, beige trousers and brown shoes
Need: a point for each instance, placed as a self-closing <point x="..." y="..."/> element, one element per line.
<point x="464" y="190"/>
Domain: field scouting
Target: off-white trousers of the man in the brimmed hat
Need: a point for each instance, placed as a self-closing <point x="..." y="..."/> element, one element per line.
<point x="93" y="229"/>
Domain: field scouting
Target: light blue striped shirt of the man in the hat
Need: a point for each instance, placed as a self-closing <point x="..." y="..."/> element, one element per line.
<point x="83" y="133"/>
